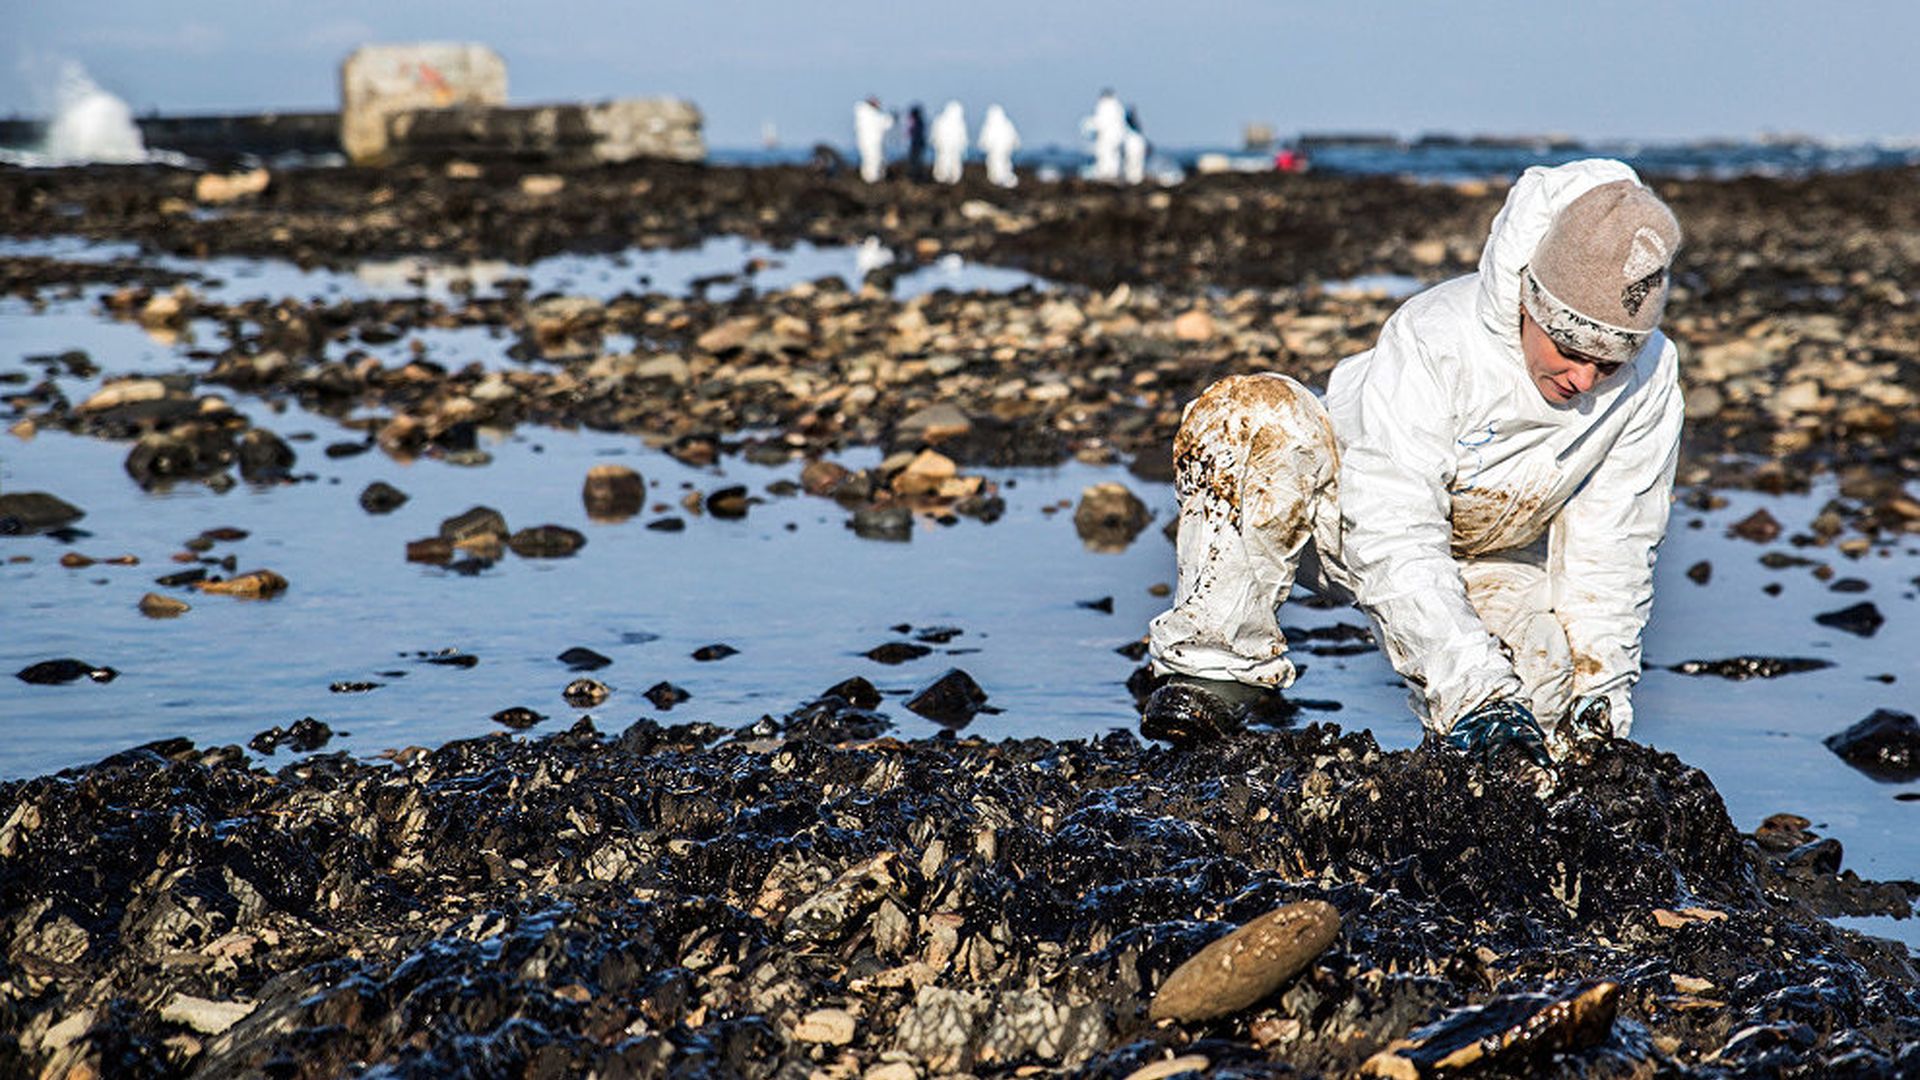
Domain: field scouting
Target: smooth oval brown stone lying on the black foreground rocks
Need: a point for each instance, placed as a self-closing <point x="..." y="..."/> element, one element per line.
<point x="1247" y="966"/>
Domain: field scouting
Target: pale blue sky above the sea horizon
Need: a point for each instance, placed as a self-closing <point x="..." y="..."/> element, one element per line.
<point x="1197" y="70"/>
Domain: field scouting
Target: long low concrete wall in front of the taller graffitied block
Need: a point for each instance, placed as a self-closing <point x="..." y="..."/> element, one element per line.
<point x="608" y="132"/>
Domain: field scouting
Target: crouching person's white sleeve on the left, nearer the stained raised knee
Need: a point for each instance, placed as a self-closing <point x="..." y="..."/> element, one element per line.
<point x="1397" y="522"/>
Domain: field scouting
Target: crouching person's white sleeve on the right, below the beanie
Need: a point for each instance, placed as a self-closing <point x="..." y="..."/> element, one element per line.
<point x="1606" y="541"/>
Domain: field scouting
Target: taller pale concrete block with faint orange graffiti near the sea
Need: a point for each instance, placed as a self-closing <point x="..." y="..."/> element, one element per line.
<point x="385" y="80"/>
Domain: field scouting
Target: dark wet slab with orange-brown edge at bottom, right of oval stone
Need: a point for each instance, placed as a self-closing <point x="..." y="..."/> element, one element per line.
<point x="1508" y="1033"/>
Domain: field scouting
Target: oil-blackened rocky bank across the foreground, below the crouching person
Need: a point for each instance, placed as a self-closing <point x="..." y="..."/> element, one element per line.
<point x="802" y="900"/>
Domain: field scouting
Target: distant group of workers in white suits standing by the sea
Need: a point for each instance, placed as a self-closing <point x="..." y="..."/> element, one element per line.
<point x="1118" y="147"/>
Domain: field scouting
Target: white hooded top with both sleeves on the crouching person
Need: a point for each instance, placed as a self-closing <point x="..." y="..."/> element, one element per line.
<point x="1452" y="468"/>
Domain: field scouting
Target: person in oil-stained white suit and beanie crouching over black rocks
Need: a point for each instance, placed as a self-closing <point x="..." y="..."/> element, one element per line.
<point x="1489" y="485"/>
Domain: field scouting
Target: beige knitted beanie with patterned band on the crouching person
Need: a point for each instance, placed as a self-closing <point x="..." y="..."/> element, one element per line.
<point x="1598" y="280"/>
